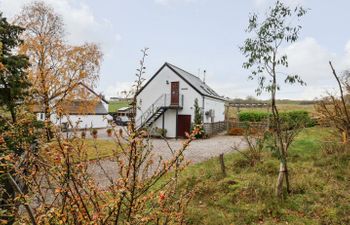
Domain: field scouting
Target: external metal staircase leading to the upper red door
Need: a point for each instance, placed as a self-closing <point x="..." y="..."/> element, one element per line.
<point x="157" y="109"/>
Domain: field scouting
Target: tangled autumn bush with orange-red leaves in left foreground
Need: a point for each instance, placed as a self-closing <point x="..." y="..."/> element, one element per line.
<point x="55" y="184"/>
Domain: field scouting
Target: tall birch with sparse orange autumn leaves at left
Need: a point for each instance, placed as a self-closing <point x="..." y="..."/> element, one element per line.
<point x="56" y="67"/>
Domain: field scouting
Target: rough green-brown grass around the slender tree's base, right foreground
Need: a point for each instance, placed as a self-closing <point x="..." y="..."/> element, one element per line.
<point x="320" y="187"/>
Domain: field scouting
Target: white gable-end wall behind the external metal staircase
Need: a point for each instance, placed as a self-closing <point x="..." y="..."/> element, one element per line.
<point x="159" y="86"/>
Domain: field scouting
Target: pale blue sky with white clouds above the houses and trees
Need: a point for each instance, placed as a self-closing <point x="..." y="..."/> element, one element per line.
<point x="199" y="35"/>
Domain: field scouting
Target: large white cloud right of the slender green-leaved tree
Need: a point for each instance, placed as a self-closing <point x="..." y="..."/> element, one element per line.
<point x="310" y="60"/>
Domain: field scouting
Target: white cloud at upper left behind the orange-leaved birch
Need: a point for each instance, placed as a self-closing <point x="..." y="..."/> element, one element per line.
<point x="81" y="24"/>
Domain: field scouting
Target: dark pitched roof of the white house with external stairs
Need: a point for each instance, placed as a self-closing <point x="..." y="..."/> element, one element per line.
<point x="194" y="81"/>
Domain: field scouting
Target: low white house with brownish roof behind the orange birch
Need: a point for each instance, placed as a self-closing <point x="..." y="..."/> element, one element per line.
<point x="80" y="113"/>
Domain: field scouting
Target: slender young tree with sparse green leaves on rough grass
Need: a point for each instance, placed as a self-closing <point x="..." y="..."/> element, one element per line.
<point x="265" y="60"/>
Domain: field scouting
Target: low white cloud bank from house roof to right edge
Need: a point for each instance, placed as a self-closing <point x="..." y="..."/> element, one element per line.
<point x="308" y="59"/>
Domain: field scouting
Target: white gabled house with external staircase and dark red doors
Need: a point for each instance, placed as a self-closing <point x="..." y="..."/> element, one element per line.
<point x="167" y="101"/>
